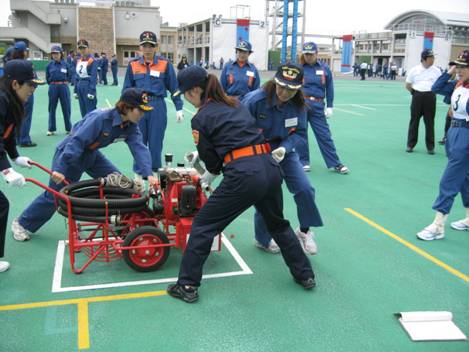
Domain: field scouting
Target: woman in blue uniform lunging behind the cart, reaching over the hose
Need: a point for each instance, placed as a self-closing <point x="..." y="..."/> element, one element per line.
<point x="79" y="153"/>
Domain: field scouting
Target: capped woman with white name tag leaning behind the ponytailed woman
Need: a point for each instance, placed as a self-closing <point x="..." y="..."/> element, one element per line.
<point x="280" y="113"/>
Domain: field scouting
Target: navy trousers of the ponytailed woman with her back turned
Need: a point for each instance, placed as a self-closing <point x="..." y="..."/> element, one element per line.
<point x="247" y="181"/>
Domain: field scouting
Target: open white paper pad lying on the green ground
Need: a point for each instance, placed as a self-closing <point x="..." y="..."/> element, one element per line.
<point x="430" y="326"/>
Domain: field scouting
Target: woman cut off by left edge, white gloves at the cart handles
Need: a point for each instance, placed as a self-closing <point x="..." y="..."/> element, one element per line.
<point x="16" y="86"/>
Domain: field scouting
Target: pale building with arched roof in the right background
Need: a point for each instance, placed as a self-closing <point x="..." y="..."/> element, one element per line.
<point x="407" y="35"/>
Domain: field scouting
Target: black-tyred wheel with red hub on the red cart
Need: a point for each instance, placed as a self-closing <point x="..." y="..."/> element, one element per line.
<point x="146" y="259"/>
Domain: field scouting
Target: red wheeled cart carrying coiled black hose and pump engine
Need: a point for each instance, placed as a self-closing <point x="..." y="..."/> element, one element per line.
<point x="107" y="222"/>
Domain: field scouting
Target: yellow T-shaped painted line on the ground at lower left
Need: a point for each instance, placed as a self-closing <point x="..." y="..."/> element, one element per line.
<point x="82" y="305"/>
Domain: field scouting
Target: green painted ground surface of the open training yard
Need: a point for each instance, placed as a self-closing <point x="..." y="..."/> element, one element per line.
<point x="363" y="276"/>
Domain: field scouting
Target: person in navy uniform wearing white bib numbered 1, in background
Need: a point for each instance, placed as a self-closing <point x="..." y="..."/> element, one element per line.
<point x="86" y="73"/>
